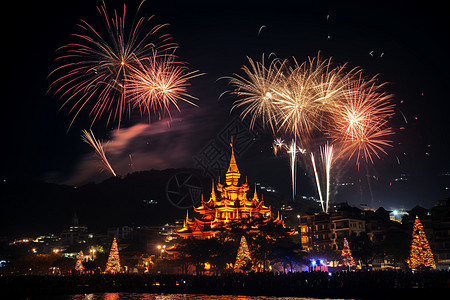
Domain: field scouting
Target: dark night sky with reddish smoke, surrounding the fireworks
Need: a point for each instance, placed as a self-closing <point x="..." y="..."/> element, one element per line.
<point x="407" y="44"/>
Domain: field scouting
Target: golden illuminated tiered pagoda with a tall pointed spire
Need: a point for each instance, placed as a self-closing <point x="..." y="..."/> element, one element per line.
<point x="228" y="204"/>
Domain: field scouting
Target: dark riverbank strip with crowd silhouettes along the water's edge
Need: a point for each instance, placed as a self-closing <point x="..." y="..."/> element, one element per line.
<point x="360" y="285"/>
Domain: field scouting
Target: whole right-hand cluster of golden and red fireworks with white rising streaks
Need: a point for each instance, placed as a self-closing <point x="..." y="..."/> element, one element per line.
<point x="316" y="101"/>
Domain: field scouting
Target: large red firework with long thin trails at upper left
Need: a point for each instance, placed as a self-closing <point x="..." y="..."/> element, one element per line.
<point x="93" y="69"/>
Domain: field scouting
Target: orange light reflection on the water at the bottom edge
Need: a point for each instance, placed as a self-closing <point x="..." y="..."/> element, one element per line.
<point x="143" y="296"/>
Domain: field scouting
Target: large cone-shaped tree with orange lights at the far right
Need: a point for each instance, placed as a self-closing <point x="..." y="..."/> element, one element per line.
<point x="421" y="254"/>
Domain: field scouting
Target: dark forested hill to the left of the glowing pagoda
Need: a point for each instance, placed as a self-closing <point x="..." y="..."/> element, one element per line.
<point x="37" y="207"/>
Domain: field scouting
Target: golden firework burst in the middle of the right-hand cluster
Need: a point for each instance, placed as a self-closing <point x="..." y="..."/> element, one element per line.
<point x="312" y="90"/>
